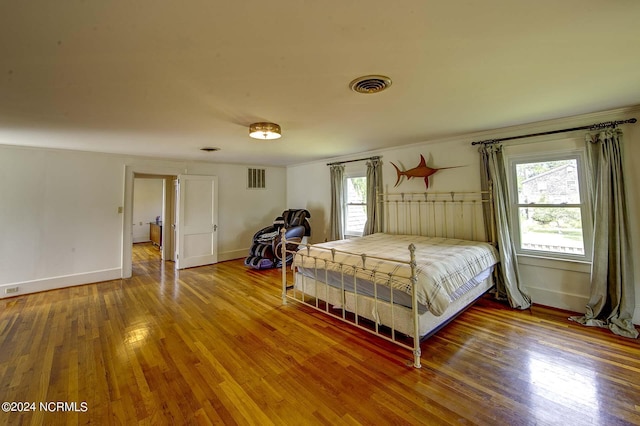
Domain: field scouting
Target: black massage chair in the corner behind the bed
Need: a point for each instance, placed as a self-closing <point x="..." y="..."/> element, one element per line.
<point x="266" y="250"/>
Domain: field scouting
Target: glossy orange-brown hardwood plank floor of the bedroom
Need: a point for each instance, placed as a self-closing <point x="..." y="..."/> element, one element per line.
<point x="214" y="345"/>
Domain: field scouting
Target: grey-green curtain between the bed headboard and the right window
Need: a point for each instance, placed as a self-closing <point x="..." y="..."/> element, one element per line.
<point x="508" y="281"/>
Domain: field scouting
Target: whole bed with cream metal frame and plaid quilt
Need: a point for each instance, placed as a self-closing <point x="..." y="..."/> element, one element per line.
<point x="431" y="262"/>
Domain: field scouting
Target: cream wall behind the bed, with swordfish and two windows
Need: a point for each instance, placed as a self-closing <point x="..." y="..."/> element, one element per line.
<point x="559" y="284"/>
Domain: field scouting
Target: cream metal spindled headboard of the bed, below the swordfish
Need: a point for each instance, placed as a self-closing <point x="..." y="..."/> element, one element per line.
<point x="438" y="214"/>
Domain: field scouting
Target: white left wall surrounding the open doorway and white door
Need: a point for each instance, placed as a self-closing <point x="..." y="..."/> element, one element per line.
<point x="60" y="223"/>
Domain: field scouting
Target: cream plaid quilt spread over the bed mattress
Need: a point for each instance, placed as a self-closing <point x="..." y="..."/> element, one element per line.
<point x="443" y="265"/>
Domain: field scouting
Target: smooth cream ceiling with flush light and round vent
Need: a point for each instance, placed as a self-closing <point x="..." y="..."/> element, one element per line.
<point x="165" y="78"/>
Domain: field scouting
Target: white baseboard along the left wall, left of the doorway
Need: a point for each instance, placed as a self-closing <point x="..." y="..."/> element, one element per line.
<point x="26" y="287"/>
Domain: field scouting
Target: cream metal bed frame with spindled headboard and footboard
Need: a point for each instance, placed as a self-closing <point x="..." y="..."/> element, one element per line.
<point x="440" y="214"/>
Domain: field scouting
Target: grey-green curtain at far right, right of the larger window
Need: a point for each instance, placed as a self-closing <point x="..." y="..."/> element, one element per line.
<point x="612" y="300"/>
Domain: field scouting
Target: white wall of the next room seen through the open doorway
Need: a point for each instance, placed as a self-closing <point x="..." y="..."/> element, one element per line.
<point x="147" y="204"/>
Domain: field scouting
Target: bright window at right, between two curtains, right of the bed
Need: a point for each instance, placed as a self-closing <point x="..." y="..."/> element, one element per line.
<point x="549" y="206"/>
